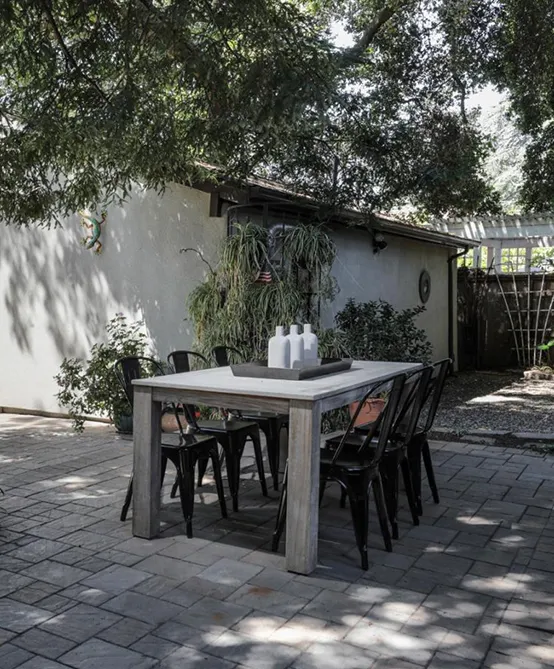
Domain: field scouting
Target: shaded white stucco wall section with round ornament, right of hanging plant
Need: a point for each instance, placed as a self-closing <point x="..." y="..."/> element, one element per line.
<point x="393" y="275"/>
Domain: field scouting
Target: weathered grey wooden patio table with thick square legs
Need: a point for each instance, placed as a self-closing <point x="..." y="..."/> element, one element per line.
<point x="304" y="401"/>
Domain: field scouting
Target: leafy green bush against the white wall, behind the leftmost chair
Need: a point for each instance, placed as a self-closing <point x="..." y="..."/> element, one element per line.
<point x="90" y="388"/>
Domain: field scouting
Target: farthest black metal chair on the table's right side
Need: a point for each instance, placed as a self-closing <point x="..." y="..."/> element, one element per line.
<point x="418" y="447"/>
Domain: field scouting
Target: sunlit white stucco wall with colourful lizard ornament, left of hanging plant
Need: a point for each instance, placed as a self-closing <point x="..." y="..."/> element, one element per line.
<point x="56" y="296"/>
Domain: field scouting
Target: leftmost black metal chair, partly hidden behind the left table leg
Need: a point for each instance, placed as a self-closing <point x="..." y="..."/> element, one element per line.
<point x="190" y="450"/>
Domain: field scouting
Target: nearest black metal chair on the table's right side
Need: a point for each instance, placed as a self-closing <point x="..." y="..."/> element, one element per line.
<point x="357" y="471"/>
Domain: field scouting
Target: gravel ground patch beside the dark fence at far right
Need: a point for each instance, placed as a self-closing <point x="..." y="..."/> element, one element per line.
<point x="496" y="401"/>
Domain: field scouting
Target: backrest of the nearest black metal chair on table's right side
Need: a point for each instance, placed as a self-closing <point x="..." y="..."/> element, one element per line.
<point x="382" y="426"/>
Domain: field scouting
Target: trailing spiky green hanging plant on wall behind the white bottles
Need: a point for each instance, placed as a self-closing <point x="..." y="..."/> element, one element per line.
<point x="254" y="305"/>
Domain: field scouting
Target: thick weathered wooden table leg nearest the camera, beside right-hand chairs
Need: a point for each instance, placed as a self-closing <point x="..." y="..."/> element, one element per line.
<point x="303" y="486"/>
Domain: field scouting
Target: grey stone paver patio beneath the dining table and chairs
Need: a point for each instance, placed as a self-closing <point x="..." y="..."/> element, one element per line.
<point x="470" y="587"/>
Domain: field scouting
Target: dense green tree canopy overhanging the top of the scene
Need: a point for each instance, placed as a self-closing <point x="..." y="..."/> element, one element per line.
<point x="96" y="95"/>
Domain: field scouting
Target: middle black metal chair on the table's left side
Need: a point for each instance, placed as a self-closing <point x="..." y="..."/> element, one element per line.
<point x="230" y="433"/>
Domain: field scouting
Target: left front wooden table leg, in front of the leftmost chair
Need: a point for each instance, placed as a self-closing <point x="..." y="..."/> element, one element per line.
<point x="147" y="456"/>
